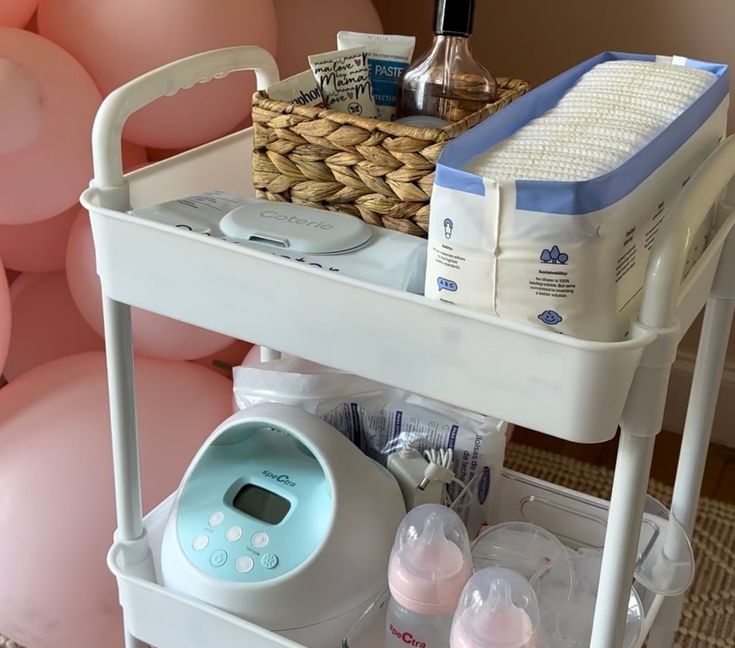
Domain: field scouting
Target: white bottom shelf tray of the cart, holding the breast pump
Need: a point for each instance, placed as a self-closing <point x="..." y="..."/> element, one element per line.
<point x="164" y="619"/>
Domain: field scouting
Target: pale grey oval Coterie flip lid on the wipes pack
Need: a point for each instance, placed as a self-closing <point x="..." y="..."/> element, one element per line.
<point x="296" y="228"/>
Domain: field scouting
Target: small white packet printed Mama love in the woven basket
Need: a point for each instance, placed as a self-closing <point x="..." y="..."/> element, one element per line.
<point x="343" y="79"/>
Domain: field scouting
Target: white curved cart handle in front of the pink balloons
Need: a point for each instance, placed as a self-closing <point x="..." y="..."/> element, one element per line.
<point x="164" y="81"/>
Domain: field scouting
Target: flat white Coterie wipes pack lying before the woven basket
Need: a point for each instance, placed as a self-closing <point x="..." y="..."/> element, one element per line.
<point x="333" y="242"/>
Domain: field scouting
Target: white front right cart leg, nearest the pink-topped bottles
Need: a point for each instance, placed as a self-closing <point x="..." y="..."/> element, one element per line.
<point x="641" y="422"/>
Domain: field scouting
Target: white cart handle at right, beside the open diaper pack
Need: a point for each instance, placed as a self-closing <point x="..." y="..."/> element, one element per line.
<point x="666" y="264"/>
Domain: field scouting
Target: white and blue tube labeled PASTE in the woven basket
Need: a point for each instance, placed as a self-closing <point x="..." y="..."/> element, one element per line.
<point x="388" y="58"/>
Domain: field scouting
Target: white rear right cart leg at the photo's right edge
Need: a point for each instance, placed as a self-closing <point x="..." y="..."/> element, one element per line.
<point x="693" y="456"/>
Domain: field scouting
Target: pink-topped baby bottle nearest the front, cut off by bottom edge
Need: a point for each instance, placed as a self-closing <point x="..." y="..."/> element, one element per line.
<point x="498" y="609"/>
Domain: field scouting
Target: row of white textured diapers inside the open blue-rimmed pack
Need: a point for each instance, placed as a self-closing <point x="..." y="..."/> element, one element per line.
<point x="613" y="112"/>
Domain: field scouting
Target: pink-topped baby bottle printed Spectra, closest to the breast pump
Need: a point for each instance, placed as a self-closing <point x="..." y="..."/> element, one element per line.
<point x="429" y="565"/>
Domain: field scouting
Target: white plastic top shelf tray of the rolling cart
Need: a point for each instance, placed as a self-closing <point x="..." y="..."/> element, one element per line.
<point x="569" y="388"/>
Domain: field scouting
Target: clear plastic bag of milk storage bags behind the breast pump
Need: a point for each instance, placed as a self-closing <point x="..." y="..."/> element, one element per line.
<point x="381" y="420"/>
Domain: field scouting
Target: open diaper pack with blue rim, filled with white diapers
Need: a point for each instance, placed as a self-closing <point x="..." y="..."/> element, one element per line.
<point x="546" y="212"/>
